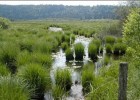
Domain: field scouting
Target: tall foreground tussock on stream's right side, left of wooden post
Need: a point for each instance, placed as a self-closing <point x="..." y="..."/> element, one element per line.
<point x="87" y="78"/>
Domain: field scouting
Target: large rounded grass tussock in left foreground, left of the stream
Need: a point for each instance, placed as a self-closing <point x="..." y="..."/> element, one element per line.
<point x="37" y="77"/>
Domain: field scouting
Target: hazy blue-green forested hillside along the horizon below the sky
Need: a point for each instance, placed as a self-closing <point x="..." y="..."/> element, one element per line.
<point x="28" y="12"/>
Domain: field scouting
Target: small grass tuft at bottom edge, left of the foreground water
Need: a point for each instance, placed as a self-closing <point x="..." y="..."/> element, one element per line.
<point x="57" y="92"/>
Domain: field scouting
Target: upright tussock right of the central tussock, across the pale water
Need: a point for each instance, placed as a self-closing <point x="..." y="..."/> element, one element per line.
<point x="92" y="51"/>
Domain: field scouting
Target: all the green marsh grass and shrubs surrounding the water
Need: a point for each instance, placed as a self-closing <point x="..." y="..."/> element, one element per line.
<point x="26" y="57"/>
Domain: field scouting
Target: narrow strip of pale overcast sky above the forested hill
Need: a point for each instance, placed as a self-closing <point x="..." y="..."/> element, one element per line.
<point x="84" y="3"/>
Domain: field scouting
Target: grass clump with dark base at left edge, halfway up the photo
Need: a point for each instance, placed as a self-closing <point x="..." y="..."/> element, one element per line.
<point x="8" y="54"/>
